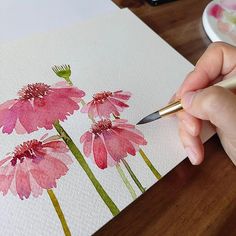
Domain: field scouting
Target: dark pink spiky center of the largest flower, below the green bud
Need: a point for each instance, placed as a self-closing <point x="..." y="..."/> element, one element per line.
<point x="37" y="90"/>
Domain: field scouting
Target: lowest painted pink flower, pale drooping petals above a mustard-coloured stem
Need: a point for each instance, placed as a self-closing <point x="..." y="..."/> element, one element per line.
<point x="33" y="166"/>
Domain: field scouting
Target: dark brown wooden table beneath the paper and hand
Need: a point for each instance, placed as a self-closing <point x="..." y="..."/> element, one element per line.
<point x="190" y="200"/>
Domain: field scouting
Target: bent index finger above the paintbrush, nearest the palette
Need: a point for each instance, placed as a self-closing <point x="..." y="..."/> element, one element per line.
<point x="219" y="60"/>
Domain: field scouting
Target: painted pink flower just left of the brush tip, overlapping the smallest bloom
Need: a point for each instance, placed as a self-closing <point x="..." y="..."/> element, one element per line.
<point x="110" y="141"/>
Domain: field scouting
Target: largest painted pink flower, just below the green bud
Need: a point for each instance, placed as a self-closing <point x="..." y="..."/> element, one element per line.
<point x="38" y="106"/>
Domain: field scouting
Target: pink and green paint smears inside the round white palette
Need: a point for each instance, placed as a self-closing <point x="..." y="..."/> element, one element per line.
<point x="224" y="13"/>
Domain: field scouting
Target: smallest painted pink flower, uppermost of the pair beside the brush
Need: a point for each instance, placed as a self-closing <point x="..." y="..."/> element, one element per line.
<point x="106" y="103"/>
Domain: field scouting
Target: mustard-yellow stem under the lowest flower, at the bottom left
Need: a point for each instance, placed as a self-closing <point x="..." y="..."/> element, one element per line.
<point x="59" y="212"/>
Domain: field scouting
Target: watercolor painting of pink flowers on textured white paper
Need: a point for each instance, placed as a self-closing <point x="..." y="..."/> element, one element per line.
<point x="72" y="156"/>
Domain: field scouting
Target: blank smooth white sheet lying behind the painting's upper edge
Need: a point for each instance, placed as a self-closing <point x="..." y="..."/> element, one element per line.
<point x="23" y="18"/>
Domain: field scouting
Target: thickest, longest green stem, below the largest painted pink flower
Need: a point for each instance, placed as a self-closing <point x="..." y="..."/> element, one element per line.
<point x="79" y="157"/>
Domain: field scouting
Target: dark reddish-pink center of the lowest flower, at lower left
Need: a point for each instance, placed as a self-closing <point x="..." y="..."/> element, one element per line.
<point x="25" y="150"/>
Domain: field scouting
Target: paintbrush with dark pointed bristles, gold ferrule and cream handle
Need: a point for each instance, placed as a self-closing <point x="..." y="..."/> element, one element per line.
<point x="176" y="106"/>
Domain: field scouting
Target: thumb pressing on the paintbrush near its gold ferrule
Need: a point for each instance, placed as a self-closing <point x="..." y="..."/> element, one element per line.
<point x="215" y="104"/>
